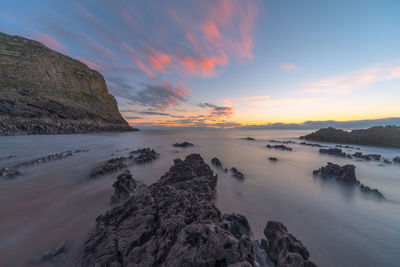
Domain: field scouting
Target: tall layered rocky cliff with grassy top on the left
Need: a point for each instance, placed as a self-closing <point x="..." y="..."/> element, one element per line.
<point x="45" y="92"/>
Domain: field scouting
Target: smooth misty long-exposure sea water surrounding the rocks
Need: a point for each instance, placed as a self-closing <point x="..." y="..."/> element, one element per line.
<point x="55" y="201"/>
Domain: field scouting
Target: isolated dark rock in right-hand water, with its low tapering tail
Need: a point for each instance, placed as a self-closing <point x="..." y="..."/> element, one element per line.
<point x="345" y="174"/>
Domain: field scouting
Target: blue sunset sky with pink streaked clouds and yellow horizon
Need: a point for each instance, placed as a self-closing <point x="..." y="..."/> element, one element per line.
<point x="228" y="63"/>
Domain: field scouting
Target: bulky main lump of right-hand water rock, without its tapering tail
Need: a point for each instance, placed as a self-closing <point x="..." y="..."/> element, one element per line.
<point x="344" y="173"/>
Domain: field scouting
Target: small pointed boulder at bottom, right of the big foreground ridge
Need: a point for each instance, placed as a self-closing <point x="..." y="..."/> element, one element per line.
<point x="283" y="248"/>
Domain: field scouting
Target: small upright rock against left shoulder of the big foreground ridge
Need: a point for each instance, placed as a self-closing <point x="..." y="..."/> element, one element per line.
<point x="124" y="186"/>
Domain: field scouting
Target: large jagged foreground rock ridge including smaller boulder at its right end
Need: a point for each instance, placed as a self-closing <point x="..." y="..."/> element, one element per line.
<point x="175" y="223"/>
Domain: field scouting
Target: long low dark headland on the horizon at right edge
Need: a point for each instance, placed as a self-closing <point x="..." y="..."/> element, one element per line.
<point x="386" y="136"/>
